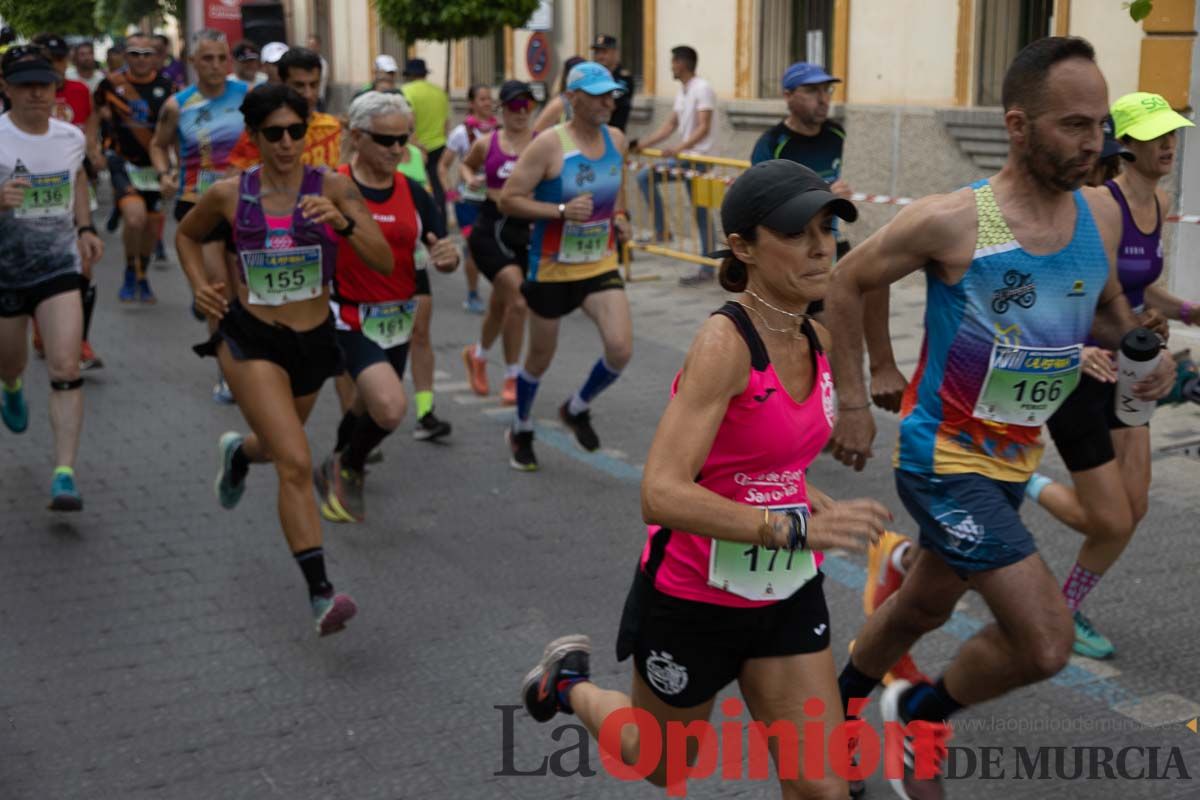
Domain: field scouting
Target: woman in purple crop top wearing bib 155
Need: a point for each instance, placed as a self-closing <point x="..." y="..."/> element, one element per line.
<point x="275" y="342"/>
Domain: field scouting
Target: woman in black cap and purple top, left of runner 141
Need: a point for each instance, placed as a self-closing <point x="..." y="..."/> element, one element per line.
<point x="500" y="244"/>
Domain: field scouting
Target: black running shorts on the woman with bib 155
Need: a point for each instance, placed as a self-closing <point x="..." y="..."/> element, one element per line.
<point x="308" y="357"/>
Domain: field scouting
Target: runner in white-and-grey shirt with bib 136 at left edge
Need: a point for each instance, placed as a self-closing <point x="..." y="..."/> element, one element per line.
<point x="49" y="239"/>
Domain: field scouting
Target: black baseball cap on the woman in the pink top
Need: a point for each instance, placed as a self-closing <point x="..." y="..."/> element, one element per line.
<point x="779" y="195"/>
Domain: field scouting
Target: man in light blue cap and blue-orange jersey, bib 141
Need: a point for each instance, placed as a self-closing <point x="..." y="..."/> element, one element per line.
<point x="569" y="184"/>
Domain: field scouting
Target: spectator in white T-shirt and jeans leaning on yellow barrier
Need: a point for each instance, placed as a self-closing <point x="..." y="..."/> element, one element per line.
<point x="693" y="117"/>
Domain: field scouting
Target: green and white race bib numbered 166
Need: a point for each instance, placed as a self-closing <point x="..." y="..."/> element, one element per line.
<point x="1027" y="386"/>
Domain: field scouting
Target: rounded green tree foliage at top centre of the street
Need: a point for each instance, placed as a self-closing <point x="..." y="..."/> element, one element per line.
<point x="448" y="20"/>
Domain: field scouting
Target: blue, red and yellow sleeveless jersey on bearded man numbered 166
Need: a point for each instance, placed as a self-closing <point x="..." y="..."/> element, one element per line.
<point x="1007" y="299"/>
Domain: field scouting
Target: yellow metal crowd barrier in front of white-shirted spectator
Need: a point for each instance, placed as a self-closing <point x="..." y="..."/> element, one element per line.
<point x="688" y="185"/>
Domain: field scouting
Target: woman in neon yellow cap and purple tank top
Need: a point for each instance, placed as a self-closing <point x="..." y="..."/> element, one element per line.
<point x="1109" y="462"/>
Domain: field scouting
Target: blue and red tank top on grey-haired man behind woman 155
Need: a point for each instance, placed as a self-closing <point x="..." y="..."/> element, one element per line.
<point x="208" y="130"/>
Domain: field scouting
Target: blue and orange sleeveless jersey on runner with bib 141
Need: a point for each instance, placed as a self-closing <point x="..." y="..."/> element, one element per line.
<point x="565" y="251"/>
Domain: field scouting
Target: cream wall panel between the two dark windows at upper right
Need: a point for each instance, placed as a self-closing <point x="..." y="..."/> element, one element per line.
<point x="903" y="52"/>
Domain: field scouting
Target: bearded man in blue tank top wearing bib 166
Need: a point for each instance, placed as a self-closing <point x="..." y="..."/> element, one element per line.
<point x="1021" y="269"/>
